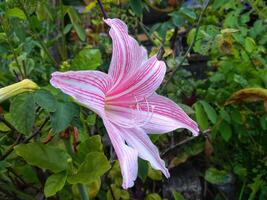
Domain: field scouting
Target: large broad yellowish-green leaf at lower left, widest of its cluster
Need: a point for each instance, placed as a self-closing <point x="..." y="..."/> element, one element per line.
<point x="43" y="156"/>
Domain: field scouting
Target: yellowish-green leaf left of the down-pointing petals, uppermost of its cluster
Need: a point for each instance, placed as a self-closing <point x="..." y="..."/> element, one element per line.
<point x="93" y="144"/>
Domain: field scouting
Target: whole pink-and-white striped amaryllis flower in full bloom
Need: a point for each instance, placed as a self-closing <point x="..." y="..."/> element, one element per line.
<point x="125" y="99"/>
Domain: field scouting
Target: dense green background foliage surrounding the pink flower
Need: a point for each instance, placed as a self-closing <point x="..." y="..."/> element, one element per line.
<point x="51" y="148"/>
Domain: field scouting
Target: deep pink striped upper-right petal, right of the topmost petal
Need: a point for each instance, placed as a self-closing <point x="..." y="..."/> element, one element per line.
<point x="140" y="84"/>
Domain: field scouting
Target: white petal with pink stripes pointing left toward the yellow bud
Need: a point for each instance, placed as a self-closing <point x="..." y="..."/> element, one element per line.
<point x="86" y="87"/>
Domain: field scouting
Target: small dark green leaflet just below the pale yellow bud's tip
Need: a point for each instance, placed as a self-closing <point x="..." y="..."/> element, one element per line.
<point x="45" y="100"/>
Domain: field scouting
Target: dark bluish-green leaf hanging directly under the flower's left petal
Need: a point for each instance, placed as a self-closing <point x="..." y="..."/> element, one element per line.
<point x="63" y="116"/>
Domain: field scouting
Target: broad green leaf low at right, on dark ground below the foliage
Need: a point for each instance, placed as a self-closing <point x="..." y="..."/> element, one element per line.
<point x="215" y="176"/>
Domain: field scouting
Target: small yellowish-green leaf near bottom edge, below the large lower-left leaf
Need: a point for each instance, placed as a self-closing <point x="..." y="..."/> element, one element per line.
<point x="55" y="183"/>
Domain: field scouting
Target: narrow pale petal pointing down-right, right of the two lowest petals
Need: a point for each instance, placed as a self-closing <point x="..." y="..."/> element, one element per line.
<point x="139" y="140"/>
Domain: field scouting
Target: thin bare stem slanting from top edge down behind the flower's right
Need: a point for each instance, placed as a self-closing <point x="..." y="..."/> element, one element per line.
<point x="188" y="50"/>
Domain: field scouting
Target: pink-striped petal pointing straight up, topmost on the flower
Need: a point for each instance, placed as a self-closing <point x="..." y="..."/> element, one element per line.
<point x="127" y="55"/>
